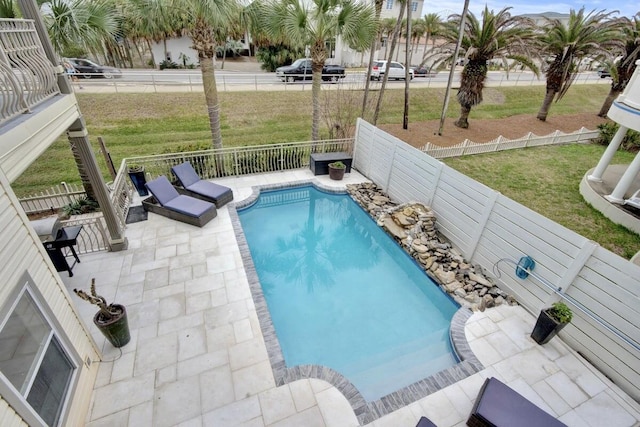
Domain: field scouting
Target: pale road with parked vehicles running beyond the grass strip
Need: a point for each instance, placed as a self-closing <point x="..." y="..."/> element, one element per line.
<point x="191" y="80"/>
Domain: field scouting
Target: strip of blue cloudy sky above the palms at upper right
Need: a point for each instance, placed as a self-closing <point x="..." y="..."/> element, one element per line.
<point x="447" y="7"/>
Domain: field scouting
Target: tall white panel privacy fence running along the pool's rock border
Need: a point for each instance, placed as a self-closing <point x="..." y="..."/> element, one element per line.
<point x="489" y="228"/>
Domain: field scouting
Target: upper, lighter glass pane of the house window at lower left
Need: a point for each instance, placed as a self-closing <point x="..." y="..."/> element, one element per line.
<point x="22" y="340"/>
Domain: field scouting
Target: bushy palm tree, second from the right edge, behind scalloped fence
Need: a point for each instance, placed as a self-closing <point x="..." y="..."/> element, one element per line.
<point x="584" y="35"/>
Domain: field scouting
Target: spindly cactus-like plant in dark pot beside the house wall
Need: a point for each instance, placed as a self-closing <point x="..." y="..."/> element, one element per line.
<point x="111" y="320"/>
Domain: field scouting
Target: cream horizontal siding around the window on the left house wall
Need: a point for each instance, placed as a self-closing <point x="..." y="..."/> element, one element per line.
<point x="23" y="252"/>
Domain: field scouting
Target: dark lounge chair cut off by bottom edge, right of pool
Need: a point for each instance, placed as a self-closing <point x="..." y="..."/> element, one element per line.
<point x="498" y="405"/>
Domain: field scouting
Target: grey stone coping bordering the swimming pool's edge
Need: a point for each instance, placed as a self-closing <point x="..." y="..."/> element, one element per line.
<point x="365" y="412"/>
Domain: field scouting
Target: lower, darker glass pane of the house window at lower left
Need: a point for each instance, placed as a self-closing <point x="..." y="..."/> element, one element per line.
<point x="50" y="386"/>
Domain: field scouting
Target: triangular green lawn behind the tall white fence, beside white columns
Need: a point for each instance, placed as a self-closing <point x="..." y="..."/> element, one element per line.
<point x="546" y="179"/>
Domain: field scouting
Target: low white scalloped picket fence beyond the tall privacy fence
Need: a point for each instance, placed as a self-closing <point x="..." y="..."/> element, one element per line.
<point x="501" y="143"/>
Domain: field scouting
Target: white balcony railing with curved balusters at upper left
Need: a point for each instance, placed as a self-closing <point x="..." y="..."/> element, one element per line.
<point x="27" y="76"/>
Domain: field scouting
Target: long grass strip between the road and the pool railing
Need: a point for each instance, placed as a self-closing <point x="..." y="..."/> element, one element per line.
<point x="146" y="124"/>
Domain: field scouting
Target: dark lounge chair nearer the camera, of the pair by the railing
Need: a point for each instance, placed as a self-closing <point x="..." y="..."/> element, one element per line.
<point x="166" y="201"/>
